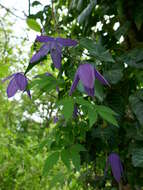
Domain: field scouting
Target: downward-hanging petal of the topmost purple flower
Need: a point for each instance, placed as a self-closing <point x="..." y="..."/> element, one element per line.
<point x="56" y="53"/>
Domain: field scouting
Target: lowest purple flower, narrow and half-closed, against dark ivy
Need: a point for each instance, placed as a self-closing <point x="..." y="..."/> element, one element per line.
<point x="116" y="166"/>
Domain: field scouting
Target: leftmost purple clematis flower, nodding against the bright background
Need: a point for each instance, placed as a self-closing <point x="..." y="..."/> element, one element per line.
<point x="18" y="82"/>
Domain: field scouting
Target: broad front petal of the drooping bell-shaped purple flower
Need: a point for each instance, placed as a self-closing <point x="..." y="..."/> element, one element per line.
<point x="86" y="75"/>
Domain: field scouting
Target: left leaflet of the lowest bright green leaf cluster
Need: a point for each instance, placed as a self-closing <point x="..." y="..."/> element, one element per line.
<point x="50" y="162"/>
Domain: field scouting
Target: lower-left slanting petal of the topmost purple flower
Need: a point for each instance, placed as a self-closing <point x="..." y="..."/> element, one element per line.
<point x="41" y="53"/>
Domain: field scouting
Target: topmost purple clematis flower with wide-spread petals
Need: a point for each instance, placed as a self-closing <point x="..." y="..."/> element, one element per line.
<point x="54" y="46"/>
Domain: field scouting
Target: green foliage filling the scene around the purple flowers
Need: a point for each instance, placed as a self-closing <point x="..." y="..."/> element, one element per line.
<point x="71" y="154"/>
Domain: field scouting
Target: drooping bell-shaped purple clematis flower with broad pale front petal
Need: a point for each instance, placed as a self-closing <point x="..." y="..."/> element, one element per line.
<point x="87" y="74"/>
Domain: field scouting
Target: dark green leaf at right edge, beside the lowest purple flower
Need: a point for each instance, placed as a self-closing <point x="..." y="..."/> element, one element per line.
<point x="137" y="157"/>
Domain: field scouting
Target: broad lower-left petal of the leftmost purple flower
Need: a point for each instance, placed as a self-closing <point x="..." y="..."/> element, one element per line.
<point x="12" y="88"/>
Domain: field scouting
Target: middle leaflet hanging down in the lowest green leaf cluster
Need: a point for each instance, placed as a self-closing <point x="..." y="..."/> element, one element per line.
<point x="65" y="157"/>
